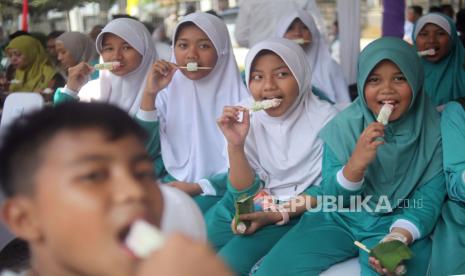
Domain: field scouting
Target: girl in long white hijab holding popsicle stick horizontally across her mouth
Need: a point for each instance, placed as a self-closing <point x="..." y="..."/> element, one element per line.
<point x="187" y="104"/>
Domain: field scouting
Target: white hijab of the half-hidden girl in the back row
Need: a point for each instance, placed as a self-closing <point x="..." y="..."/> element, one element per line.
<point x="327" y="74"/>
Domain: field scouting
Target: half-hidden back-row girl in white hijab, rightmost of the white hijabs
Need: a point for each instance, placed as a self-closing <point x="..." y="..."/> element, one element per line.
<point x="327" y="75"/>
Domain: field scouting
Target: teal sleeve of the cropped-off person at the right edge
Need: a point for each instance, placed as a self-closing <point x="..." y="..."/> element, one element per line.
<point x="453" y="139"/>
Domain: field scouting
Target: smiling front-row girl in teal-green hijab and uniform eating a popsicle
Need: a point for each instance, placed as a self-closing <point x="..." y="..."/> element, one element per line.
<point x="394" y="170"/>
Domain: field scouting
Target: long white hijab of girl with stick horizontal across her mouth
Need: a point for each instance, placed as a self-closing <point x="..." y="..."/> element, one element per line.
<point x="191" y="143"/>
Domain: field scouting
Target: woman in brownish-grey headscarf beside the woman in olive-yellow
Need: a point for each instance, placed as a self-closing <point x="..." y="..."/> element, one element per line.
<point x="74" y="47"/>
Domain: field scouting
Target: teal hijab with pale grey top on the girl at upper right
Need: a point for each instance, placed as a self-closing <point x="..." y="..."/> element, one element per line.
<point x="444" y="80"/>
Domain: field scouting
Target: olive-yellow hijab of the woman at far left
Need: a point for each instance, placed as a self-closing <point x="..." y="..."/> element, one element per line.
<point x="39" y="72"/>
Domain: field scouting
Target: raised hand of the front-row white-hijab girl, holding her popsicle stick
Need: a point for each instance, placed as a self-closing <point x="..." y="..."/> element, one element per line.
<point x="235" y="132"/>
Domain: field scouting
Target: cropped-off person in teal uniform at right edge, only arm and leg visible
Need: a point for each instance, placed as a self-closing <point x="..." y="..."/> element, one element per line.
<point x="449" y="235"/>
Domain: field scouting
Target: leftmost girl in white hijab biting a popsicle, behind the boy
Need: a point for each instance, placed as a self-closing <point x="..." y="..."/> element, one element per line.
<point x="128" y="42"/>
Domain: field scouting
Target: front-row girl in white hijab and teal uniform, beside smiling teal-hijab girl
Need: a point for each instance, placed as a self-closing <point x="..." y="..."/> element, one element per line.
<point x="276" y="151"/>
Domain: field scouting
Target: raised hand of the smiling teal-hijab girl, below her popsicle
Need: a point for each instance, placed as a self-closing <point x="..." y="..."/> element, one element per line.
<point x="367" y="145"/>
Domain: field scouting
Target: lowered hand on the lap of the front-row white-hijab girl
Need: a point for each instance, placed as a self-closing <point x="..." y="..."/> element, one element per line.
<point x="257" y="221"/>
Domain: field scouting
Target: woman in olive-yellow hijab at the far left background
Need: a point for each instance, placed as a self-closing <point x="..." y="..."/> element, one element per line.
<point x="34" y="71"/>
